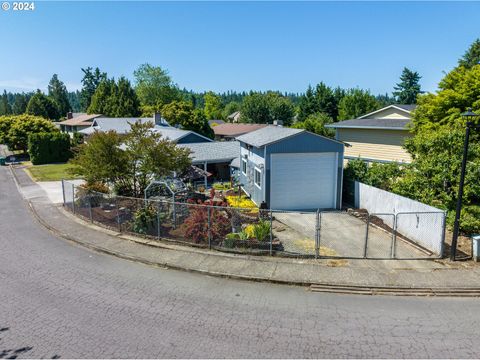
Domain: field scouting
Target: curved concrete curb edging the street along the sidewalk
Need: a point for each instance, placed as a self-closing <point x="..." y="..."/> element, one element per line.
<point x="314" y="287"/>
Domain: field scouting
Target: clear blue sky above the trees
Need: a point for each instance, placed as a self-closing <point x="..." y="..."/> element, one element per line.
<point x="223" y="46"/>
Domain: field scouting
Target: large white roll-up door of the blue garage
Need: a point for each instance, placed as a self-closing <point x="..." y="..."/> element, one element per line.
<point x="301" y="181"/>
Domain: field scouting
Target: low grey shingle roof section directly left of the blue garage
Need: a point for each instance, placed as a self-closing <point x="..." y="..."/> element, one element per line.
<point x="213" y="152"/>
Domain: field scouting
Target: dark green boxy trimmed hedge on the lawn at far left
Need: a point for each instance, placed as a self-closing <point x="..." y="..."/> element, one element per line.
<point x="45" y="148"/>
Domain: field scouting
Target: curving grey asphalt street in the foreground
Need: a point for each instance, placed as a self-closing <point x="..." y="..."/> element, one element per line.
<point x="60" y="300"/>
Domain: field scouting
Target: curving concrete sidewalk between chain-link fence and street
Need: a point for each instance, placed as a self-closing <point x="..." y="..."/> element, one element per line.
<point x="356" y="273"/>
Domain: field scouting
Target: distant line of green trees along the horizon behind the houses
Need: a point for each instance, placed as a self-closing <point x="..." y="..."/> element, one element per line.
<point x="153" y="90"/>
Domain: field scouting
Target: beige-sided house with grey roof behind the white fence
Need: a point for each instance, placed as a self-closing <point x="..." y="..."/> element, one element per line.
<point x="378" y="136"/>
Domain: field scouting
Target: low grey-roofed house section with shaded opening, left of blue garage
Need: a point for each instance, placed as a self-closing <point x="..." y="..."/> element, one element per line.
<point x="214" y="157"/>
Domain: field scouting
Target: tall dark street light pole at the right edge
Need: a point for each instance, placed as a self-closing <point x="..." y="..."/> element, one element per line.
<point x="456" y="226"/>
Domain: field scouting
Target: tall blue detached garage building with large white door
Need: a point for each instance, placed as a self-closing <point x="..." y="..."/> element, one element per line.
<point x="291" y="169"/>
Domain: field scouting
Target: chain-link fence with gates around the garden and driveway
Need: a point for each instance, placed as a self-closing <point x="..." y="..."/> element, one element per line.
<point x="317" y="234"/>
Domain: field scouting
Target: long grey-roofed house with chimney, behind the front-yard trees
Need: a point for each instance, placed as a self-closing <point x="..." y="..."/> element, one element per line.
<point x="122" y="126"/>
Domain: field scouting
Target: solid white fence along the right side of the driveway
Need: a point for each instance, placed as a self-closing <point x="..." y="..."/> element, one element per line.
<point x="418" y="222"/>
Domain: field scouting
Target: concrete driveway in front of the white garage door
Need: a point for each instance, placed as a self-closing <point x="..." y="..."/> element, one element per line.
<point x="343" y="235"/>
